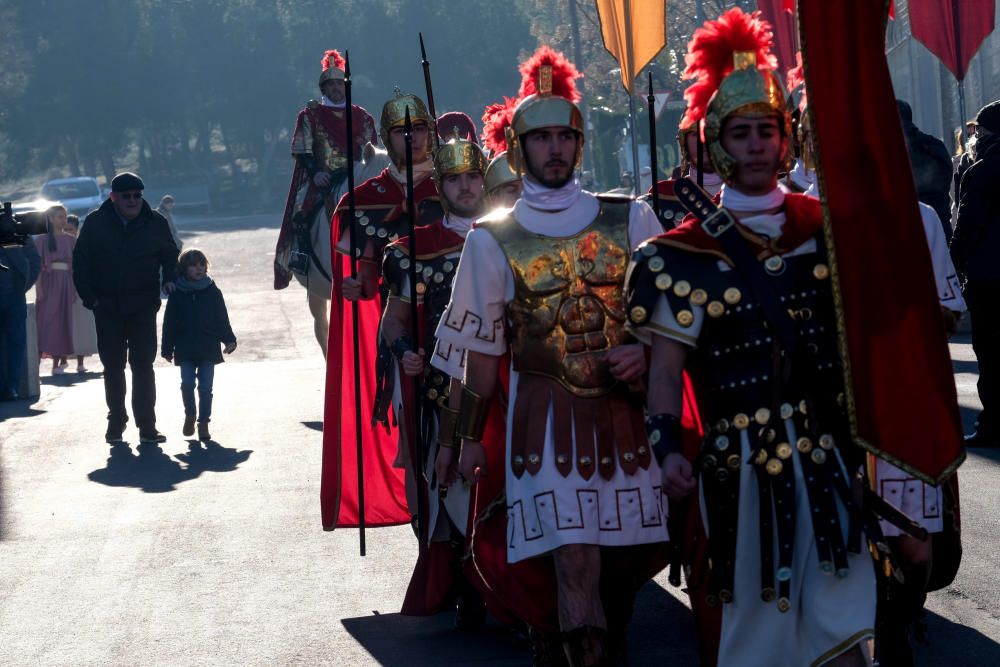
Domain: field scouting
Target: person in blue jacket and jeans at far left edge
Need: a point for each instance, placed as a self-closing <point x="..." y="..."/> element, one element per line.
<point x="24" y="265"/>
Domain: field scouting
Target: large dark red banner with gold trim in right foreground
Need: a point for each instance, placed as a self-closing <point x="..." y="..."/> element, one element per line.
<point x="900" y="388"/>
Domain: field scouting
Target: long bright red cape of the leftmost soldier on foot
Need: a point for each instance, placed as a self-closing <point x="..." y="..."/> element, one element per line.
<point x="384" y="486"/>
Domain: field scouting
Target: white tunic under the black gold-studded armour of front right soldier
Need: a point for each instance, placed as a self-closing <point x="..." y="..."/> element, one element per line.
<point x="828" y="614"/>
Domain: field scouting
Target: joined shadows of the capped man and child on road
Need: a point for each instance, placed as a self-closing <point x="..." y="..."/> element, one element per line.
<point x="154" y="472"/>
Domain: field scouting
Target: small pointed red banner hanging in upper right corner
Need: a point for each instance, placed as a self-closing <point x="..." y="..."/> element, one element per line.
<point x="953" y="30"/>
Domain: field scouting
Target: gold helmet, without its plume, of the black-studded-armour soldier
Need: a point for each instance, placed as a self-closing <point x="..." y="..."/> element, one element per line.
<point x="748" y="91"/>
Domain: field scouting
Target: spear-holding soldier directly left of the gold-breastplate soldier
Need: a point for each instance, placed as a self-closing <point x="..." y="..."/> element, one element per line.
<point x="459" y="165"/>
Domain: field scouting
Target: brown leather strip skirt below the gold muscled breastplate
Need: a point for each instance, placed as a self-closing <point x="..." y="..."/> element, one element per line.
<point x="609" y="430"/>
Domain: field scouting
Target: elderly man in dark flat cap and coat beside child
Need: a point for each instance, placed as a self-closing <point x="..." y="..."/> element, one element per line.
<point x="123" y="249"/>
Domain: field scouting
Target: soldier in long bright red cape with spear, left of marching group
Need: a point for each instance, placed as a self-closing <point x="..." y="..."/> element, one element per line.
<point x="380" y="218"/>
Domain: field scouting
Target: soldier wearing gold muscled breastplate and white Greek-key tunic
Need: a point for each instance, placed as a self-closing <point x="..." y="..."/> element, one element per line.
<point x="544" y="281"/>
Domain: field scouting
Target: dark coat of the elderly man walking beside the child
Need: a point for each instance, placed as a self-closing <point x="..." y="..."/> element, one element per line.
<point x="118" y="266"/>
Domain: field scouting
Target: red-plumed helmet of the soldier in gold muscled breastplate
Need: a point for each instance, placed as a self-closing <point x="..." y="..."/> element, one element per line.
<point x="548" y="96"/>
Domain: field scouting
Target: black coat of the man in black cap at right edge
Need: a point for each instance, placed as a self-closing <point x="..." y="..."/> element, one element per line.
<point x="975" y="248"/>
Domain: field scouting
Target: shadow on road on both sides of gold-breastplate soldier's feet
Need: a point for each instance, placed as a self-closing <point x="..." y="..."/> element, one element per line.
<point x="662" y="632"/>
